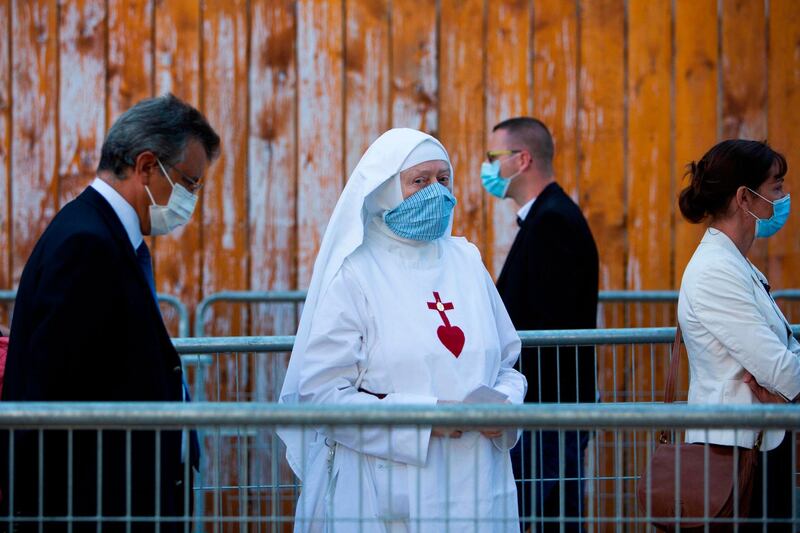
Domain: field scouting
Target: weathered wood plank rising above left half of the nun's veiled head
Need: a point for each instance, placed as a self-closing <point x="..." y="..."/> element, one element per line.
<point x="367" y="76"/>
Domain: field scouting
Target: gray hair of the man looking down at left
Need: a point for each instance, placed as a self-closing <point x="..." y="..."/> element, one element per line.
<point x="161" y="125"/>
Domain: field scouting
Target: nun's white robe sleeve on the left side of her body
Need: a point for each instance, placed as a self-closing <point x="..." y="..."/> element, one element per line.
<point x="331" y="363"/>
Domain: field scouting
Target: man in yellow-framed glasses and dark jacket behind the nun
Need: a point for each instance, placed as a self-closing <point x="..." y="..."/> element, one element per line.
<point x="549" y="281"/>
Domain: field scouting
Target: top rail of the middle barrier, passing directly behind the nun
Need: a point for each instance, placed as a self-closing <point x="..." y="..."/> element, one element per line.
<point x="530" y="339"/>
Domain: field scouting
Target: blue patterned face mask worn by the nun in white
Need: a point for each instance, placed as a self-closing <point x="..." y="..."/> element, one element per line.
<point x="423" y="216"/>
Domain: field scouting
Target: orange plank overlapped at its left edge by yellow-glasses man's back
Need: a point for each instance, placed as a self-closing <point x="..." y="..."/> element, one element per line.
<point x="601" y="185"/>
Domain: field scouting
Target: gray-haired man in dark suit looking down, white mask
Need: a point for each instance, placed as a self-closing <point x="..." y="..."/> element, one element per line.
<point x="87" y="327"/>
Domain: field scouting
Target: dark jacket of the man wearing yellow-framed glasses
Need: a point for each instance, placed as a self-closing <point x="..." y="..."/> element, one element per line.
<point x="550" y="281"/>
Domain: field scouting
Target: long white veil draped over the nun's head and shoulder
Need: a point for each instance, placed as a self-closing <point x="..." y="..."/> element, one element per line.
<point x="345" y="233"/>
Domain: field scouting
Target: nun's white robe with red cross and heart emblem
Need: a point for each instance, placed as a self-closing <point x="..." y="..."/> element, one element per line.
<point x="420" y="324"/>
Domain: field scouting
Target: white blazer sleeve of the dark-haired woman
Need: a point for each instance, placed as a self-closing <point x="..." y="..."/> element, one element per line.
<point x="724" y="304"/>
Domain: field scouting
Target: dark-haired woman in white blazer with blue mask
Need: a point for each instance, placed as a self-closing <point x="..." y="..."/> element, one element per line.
<point x="740" y="346"/>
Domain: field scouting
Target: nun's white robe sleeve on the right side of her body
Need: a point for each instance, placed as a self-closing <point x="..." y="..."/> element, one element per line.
<point x="509" y="381"/>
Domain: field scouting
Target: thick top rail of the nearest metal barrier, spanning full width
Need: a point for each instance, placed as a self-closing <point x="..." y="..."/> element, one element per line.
<point x="549" y="416"/>
